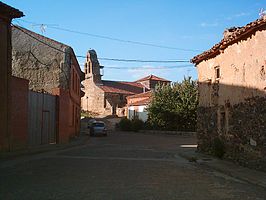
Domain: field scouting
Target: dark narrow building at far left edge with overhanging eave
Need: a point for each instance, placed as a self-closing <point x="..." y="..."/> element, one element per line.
<point x="7" y="13"/>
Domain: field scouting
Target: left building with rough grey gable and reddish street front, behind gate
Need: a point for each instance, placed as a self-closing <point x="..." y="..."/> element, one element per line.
<point x="51" y="67"/>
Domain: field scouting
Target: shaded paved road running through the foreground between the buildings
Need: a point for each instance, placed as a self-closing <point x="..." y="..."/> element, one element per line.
<point x="120" y="166"/>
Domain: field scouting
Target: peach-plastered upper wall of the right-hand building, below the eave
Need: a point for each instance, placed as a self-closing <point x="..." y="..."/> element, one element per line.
<point x="242" y="64"/>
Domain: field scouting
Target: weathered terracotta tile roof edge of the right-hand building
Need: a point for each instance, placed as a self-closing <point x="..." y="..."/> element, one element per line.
<point x="231" y="38"/>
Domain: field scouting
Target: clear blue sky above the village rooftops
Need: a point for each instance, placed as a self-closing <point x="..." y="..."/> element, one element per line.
<point x="181" y="28"/>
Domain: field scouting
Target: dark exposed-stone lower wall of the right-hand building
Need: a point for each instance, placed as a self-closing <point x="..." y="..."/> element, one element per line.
<point x="245" y="136"/>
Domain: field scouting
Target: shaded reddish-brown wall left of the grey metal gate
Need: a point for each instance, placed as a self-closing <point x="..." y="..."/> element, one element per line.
<point x="19" y="113"/>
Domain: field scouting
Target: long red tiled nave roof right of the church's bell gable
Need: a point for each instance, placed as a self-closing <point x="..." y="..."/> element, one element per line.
<point x="121" y="87"/>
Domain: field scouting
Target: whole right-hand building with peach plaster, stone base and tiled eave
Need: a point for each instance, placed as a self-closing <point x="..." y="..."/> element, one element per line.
<point x="232" y="89"/>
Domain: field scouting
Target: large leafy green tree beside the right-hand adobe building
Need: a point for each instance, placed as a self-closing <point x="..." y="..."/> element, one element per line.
<point x="174" y="107"/>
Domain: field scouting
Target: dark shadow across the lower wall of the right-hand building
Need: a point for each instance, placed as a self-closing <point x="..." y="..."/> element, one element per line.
<point x="236" y="115"/>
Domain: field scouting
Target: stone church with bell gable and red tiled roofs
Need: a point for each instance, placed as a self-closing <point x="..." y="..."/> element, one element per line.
<point x="109" y="97"/>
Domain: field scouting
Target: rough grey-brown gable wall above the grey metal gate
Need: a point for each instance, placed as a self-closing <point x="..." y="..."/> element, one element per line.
<point x="44" y="67"/>
